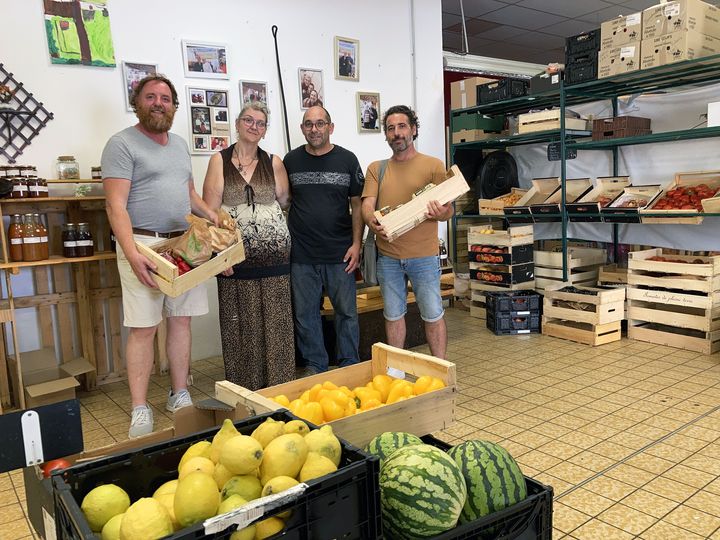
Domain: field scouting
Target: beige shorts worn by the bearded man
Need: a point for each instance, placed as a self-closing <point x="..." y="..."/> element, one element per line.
<point x="144" y="307"/>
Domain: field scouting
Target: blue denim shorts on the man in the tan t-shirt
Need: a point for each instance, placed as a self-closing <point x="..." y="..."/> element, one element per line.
<point x="423" y="273"/>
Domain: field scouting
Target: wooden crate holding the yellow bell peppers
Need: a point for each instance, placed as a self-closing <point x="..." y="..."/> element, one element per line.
<point x="420" y="415"/>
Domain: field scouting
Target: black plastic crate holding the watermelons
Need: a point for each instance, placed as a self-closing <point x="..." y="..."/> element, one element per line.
<point x="530" y="519"/>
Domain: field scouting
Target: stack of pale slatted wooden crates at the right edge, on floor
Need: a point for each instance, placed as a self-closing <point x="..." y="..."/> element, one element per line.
<point x="674" y="300"/>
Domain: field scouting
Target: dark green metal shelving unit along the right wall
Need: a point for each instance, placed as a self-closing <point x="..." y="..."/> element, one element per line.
<point x="661" y="79"/>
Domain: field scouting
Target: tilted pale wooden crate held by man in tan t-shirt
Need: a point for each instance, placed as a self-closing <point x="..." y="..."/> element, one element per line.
<point x="411" y="214"/>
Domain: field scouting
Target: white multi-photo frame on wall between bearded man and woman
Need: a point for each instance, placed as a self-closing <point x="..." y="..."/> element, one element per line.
<point x="210" y="119"/>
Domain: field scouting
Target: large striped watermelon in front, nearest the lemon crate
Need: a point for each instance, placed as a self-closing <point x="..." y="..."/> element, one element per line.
<point x="422" y="492"/>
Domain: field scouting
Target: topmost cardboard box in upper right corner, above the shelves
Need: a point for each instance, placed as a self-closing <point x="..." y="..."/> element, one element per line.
<point x="668" y="17"/>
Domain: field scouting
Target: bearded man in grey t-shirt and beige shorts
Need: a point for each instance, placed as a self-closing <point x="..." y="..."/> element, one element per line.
<point x="149" y="190"/>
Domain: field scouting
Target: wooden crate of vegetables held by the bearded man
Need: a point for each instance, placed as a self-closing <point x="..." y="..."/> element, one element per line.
<point x="167" y="274"/>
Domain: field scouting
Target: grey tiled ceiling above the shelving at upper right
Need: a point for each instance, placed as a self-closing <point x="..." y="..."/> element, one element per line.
<point x="528" y="30"/>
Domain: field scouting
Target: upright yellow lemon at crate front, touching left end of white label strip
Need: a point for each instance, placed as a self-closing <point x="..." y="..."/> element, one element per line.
<point x="196" y="499"/>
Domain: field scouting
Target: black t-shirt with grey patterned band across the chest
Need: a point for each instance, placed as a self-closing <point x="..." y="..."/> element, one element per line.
<point x="319" y="219"/>
